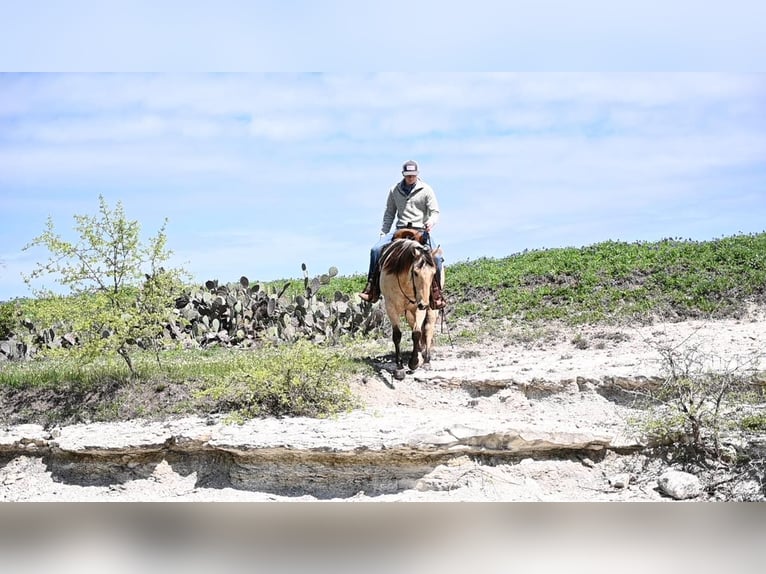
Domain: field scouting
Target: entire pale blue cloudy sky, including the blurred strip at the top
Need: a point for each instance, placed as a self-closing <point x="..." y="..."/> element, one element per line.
<point x="262" y="165"/>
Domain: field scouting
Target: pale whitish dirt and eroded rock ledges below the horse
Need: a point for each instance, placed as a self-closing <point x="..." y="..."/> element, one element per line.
<point x="541" y="416"/>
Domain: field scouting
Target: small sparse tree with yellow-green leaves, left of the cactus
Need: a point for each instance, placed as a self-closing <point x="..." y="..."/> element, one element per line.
<point x="124" y="292"/>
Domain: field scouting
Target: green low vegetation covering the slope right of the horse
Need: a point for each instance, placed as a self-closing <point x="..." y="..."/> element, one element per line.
<point x="668" y="279"/>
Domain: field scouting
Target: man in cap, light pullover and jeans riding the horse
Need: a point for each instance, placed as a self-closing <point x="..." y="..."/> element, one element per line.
<point x="413" y="203"/>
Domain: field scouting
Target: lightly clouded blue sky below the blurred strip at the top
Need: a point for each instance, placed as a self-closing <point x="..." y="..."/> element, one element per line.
<point x="308" y="158"/>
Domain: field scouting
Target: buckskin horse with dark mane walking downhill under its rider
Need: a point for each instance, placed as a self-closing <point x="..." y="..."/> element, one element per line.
<point x="407" y="269"/>
